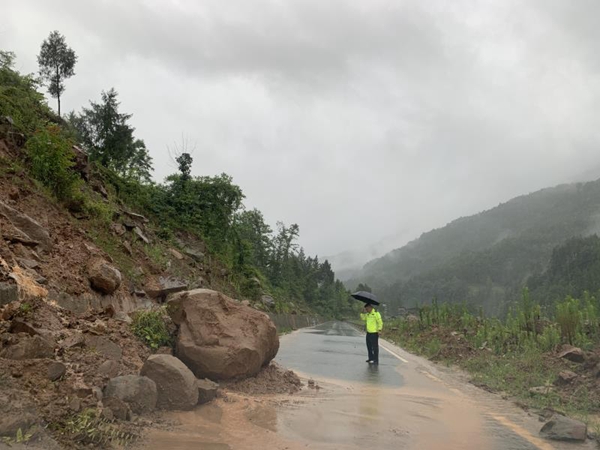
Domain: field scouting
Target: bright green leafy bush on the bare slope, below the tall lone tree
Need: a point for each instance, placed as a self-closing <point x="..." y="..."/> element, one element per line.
<point x="51" y="158"/>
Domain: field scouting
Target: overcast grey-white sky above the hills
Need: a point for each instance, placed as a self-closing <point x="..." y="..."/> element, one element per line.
<point x="362" y="121"/>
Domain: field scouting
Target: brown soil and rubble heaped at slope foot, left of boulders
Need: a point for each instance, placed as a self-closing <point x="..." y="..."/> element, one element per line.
<point x="81" y="344"/>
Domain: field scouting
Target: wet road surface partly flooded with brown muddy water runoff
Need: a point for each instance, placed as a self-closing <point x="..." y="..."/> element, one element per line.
<point x="404" y="403"/>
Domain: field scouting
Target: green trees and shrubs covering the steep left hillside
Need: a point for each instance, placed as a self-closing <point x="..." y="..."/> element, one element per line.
<point x="257" y="261"/>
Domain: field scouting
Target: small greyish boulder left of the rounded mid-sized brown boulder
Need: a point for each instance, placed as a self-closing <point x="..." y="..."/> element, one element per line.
<point x="138" y="392"/>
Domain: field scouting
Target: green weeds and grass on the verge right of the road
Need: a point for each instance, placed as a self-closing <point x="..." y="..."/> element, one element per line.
<point x="511" y="355"/>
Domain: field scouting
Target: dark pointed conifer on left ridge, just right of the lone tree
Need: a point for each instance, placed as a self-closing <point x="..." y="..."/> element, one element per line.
<point x="109" y="140"/>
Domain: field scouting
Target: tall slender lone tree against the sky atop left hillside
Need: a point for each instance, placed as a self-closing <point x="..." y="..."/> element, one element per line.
<point x="57" y="63"/>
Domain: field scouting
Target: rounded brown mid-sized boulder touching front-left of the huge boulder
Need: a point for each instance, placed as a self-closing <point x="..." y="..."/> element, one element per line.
<point x="176" y="384"/>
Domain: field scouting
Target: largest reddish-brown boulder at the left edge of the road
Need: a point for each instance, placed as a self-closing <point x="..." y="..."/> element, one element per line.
<point x="220" y="338"/>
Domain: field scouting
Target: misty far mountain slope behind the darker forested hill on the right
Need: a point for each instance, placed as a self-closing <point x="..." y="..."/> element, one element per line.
<point x="486" y="259"/>
